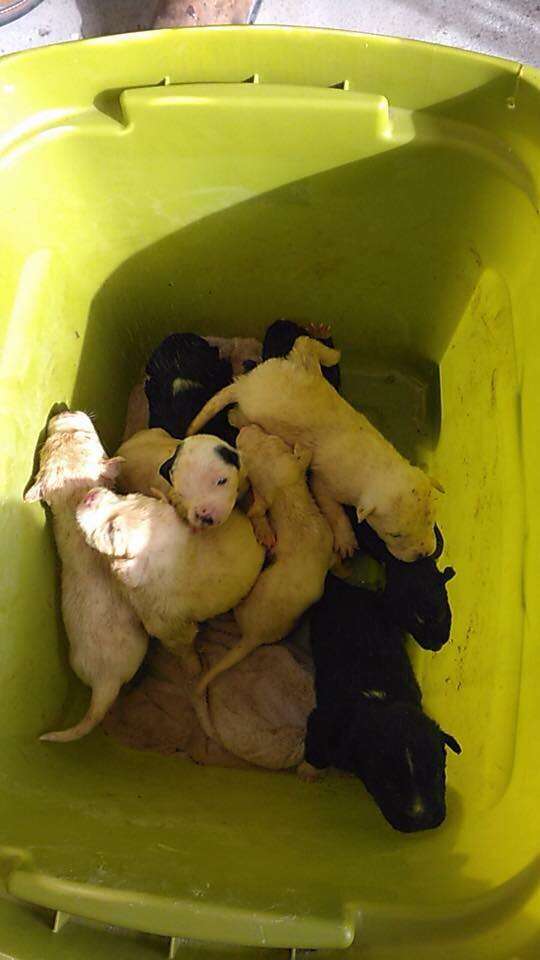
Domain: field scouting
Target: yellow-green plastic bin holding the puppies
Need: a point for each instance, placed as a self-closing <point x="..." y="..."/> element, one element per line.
<point x="214" y="180"/>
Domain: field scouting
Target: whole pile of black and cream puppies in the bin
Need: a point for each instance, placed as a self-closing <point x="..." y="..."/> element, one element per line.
<point x="180" y="527"/>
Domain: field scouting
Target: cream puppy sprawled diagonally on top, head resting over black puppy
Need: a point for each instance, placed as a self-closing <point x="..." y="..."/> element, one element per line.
<point x="352" y="463"/>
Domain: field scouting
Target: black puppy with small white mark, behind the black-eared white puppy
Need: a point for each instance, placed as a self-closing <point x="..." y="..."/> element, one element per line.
<point x="181" y="376"/>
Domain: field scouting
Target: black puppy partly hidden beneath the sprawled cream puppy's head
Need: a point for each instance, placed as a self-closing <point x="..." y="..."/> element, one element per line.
<point x="415" y="593"/>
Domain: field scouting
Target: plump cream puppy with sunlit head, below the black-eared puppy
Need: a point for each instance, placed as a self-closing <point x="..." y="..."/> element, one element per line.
<point x="174" y="578"/>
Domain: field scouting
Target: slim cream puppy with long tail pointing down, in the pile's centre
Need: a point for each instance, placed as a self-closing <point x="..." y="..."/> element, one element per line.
<point x="303" y="551"/>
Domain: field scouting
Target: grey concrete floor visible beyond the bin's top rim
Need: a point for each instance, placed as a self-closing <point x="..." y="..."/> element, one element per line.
<point x="508" y="28"/>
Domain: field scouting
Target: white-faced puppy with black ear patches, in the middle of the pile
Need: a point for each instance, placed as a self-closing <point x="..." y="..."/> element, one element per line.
<point x="202" y="476"/>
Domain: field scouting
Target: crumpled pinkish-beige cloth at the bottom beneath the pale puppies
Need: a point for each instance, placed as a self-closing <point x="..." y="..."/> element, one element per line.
<point x="253" y="715"/>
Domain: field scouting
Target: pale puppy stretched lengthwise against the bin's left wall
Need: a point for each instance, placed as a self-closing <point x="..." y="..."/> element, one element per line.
<point x="107" y="641"/>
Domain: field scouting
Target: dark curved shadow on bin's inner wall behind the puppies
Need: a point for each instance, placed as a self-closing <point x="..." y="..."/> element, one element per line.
<point x="385" y="248"/>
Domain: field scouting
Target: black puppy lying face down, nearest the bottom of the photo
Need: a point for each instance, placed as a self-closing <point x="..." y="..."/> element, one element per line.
<point x="369" y="719"/>
